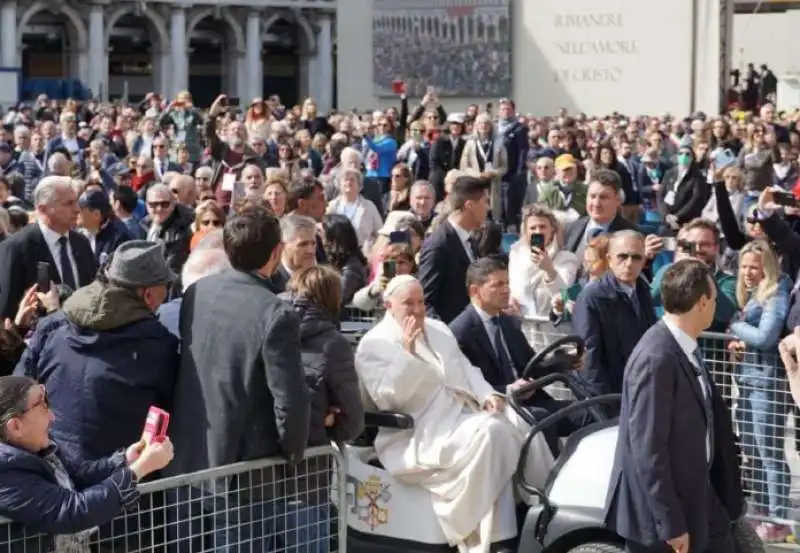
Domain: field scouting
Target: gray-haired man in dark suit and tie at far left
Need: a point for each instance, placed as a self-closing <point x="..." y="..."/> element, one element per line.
<point x="51" y="240"/>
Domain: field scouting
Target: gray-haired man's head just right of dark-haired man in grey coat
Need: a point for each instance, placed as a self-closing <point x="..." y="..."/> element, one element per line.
<point x="299" y="236"/>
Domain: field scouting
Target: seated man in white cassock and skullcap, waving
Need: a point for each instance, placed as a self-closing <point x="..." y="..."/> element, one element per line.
<point x="465" y="444"/>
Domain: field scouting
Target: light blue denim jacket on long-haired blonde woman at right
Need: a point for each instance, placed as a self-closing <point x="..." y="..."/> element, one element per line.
<point x="760" y="328"/>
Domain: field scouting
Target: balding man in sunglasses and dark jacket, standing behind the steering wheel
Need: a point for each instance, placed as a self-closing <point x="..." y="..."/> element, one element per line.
<point x="613" y="313"/>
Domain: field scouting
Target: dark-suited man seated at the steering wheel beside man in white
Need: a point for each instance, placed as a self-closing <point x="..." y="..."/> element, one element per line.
<point x="494" y="342"/>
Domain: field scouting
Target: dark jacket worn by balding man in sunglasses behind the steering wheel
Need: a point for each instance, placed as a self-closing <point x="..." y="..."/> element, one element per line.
<point x="605" y="318"/>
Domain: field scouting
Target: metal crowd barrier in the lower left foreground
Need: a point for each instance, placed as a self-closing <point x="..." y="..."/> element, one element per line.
<point x="250" y="507"/>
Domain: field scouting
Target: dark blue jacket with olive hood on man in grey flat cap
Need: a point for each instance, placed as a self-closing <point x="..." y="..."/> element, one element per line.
<point x="105" y="359"/>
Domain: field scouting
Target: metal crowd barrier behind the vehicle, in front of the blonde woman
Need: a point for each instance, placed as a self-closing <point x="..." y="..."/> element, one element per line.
<point x="764" y="418"/>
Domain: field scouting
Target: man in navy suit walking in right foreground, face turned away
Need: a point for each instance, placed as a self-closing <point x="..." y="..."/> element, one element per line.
<point x="667" y="492"/>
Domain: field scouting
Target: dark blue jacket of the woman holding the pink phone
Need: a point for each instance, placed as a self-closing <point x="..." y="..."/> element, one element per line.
<point x="31" y="496"/>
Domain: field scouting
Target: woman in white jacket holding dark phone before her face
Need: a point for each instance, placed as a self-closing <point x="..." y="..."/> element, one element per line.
<point x="539" y="270"/>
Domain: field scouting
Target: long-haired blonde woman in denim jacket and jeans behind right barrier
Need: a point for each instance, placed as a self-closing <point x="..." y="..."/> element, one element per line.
<point x="763" y="295"/>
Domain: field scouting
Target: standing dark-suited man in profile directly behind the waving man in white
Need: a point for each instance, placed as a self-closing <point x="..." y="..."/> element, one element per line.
<point x="447" y="253"/>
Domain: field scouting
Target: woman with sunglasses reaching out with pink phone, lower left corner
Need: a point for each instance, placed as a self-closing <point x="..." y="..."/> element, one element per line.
<point x="49" y="490"/>
